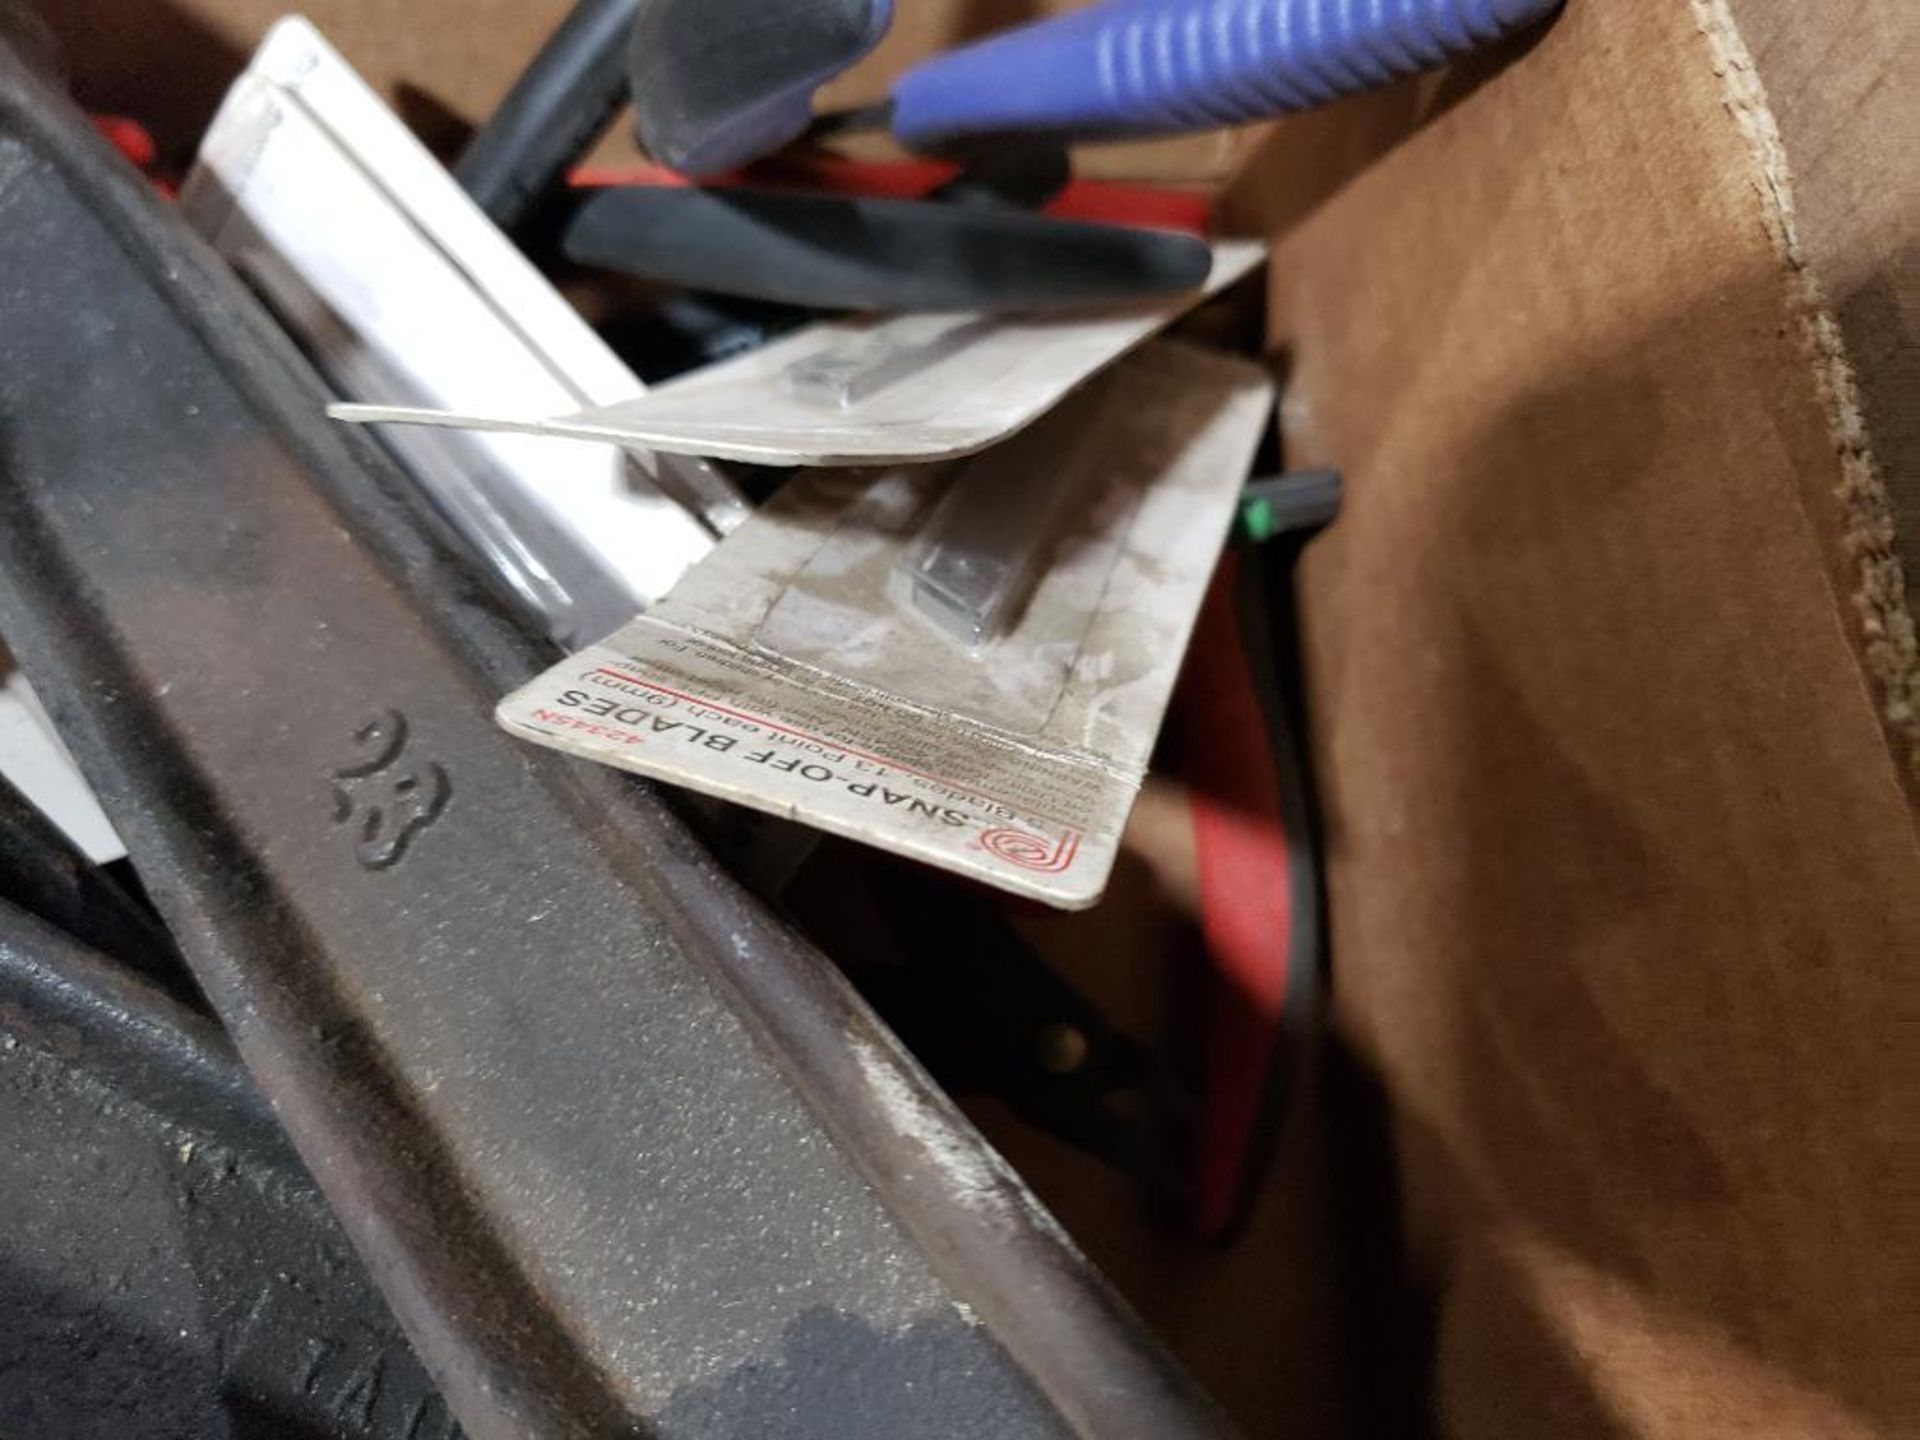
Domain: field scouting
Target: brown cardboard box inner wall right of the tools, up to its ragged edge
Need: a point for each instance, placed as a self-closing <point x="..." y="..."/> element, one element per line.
<point x="1623" y="871"/>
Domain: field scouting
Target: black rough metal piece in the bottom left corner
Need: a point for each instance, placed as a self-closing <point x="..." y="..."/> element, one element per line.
<point x="166" y="1264"/>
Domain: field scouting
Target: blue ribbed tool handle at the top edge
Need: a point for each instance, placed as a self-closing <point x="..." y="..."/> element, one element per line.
<point x="1134" y="68"/>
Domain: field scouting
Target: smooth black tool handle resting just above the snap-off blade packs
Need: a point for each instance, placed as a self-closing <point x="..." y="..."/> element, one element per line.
<point x="836" y="252"/>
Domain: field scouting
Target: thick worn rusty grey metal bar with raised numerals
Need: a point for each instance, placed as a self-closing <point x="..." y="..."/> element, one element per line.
<point x="621" y="1153"/>
